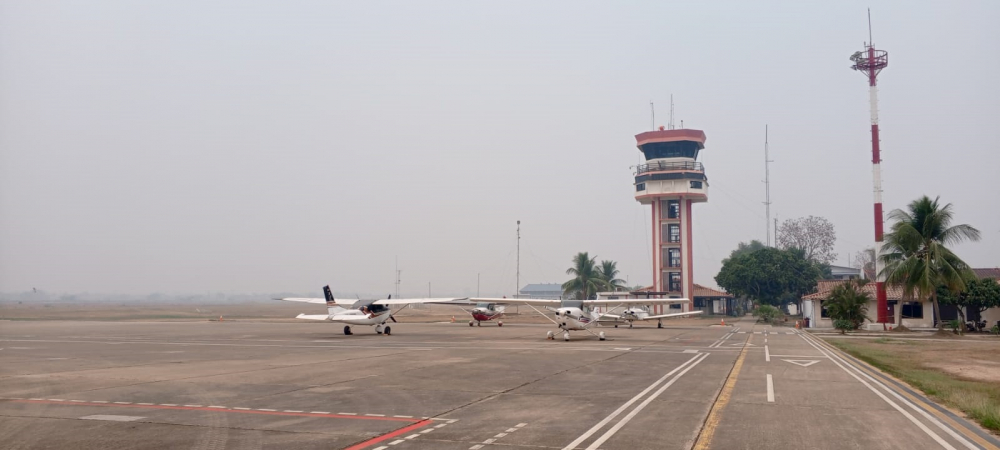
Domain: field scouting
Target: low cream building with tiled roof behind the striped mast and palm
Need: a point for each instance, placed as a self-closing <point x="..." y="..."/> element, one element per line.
<point x="912" y="314"/>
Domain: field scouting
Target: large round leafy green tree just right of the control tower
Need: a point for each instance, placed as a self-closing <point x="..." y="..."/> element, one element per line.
<point x="768" y="275"/>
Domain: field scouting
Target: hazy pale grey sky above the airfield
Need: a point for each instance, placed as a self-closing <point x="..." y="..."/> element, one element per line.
<point x="242" y="146"/>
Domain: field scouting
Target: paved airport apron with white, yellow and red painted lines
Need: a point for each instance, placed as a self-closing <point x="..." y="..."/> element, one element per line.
<point x="245" y="385"/>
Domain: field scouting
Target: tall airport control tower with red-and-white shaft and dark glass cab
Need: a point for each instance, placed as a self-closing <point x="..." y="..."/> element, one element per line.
<point x="671" y="181"/>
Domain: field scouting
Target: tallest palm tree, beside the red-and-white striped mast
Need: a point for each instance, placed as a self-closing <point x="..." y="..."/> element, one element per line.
<point x="915" y="255"/>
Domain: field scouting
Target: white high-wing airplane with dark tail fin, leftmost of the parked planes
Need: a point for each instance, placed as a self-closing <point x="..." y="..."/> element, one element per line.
<point x="361" y="312"/>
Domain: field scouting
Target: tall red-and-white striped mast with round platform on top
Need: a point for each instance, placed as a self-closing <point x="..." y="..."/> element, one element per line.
<point x="870" y="62"/>
